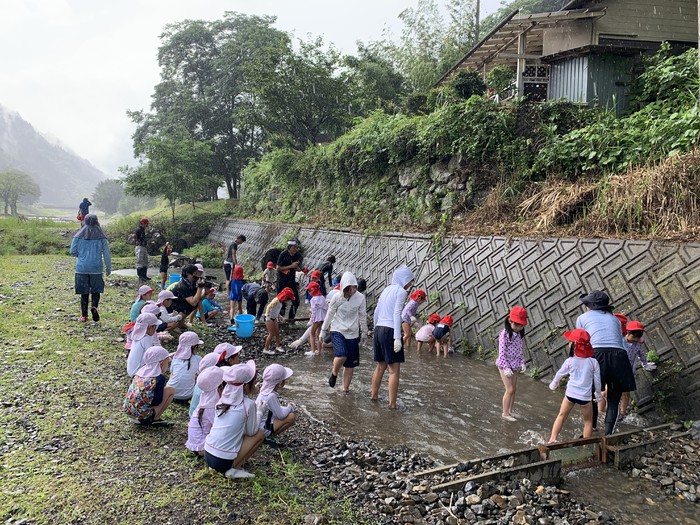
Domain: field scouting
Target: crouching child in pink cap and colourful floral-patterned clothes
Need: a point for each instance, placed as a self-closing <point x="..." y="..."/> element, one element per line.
<point x="148" y="395"/>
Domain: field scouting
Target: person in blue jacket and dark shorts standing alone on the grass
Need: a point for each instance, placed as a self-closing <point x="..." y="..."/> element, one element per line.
<point x="91" y="247"/>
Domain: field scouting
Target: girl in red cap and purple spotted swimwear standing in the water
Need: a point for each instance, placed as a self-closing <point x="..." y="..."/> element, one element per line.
<point x="511" y="357"/>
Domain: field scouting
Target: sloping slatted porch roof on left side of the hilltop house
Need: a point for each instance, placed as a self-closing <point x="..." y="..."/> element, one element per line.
<point x="501" y="45"/>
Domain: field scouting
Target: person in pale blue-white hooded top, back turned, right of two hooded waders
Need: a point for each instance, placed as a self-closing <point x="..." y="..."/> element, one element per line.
<point x="388" y="340"/>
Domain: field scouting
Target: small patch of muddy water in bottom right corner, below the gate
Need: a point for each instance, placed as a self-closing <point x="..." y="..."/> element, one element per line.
<point x="631" y="501"/>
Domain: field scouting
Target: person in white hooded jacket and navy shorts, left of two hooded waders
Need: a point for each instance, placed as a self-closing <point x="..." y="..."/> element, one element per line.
<point x="347" y="323"/>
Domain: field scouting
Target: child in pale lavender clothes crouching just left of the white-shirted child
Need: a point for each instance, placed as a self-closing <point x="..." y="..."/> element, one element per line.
<point x="209" y="382"/>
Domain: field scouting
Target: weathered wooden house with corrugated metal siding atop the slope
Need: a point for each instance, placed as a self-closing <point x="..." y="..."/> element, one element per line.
<point x="587" y="51"/>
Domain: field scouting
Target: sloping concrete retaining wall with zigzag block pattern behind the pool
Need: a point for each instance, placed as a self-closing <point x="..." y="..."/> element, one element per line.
<point x="479" y="278"/>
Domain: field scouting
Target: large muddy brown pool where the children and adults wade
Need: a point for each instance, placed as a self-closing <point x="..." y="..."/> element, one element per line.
<point x="448" y="408"/>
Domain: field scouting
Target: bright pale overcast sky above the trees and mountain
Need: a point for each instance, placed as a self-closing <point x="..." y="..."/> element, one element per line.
<point x="72" y="68"/>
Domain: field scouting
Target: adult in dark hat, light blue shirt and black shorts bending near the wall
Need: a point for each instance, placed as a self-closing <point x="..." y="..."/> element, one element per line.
<point x="610" y="350"/>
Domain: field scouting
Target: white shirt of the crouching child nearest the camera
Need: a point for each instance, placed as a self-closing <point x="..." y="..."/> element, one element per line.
<point x="226" y="434"/>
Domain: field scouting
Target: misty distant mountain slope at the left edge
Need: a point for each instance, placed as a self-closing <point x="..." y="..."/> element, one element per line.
<point x="64" y="177"/>
